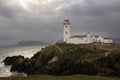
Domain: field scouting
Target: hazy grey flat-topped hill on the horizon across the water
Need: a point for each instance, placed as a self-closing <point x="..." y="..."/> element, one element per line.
<point x="30" y="43"/>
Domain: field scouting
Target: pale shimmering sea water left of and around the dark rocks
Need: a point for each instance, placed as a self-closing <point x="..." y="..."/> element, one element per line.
<point x="26" y="51"/>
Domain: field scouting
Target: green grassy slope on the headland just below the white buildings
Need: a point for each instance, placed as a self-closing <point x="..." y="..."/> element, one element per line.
<point x="73" y="52"/>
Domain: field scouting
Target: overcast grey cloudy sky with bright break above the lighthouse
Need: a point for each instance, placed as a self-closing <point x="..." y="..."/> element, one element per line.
<point x="42" y="20"/>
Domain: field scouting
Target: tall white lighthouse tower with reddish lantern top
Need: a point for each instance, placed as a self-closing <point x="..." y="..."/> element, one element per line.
<point x="66" y="30"/>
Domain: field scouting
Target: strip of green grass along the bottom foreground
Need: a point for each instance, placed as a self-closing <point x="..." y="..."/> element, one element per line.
<point x="73" y="77"/>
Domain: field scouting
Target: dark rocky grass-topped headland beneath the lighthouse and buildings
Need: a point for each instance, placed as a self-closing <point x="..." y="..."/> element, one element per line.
<point x="67" y="59"/>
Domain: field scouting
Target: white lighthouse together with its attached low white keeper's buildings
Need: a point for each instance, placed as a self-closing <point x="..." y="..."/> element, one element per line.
<point x="82" y="39"/>
